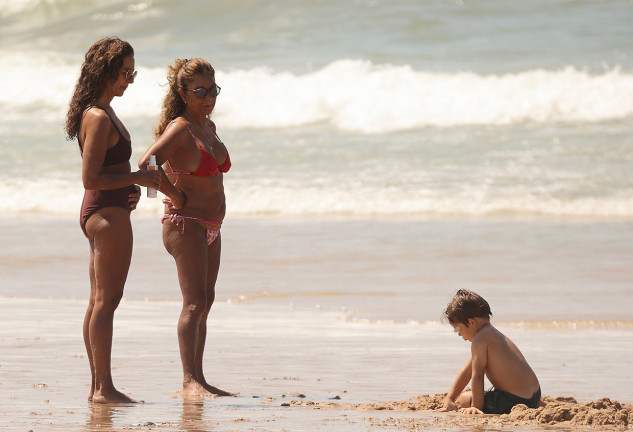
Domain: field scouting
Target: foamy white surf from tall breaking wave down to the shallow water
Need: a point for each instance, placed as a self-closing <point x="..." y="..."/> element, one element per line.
<point x="357" y="96"/>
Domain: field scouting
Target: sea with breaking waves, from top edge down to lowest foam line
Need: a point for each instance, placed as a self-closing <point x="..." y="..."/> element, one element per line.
<point x="360" y="108"/>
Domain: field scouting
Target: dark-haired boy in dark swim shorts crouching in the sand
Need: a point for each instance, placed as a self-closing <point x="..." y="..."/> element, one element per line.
<point x="492" y="353"/>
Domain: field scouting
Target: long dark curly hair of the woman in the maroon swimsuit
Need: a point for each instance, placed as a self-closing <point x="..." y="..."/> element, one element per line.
<point x="102" y="65"/>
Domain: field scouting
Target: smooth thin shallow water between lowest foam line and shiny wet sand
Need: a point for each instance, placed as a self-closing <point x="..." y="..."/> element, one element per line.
<point x="398" y="269"/>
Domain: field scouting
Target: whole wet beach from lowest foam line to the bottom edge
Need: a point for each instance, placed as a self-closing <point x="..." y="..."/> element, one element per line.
<point x="336" y="311"/>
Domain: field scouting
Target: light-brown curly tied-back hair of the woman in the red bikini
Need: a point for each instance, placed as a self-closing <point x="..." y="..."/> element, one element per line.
<point x="181" y="73"/>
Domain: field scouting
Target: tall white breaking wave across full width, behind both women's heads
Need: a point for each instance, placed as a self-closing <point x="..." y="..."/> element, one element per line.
<point x="349" y="95"/>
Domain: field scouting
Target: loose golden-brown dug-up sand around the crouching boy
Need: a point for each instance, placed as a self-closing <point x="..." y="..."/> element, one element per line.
<point x="602" y="414"/>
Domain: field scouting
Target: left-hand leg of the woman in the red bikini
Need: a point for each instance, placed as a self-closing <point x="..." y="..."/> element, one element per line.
<point x="190" y="252"/>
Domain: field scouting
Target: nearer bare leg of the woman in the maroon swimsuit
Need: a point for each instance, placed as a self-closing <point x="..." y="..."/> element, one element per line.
<point x="111" y="233"/>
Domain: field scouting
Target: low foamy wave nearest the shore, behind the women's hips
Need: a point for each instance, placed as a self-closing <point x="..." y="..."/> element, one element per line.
<point x="63" y="197"/>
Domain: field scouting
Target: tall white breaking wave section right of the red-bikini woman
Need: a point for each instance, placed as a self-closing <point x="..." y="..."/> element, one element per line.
<point x="357" y="95"/>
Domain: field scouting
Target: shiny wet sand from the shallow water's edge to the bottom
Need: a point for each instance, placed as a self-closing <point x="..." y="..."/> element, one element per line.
<point x="294" y="370"/>
